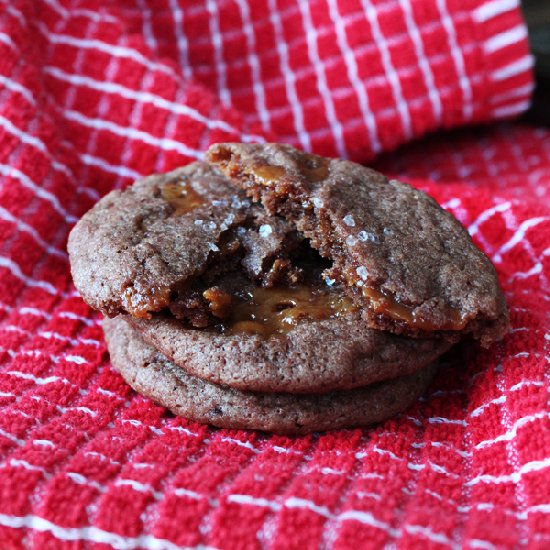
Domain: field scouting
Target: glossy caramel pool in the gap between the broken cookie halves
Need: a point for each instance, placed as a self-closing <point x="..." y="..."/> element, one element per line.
<point x="267" y="311"/>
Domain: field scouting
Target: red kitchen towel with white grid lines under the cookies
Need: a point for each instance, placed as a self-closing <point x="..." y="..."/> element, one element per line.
<point x="94" y="95"/>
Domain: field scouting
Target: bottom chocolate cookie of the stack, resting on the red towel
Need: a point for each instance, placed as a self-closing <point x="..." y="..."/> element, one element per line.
<point x="153" y="375"/>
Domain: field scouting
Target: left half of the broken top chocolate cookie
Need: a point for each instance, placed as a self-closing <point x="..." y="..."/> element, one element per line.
<point x="137" y="250"/>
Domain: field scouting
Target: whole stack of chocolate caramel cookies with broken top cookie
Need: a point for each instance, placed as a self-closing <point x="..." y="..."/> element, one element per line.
<point x="277" y="290"/>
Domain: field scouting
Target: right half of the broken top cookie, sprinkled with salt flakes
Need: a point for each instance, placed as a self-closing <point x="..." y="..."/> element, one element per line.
<point x="410" y="266"/>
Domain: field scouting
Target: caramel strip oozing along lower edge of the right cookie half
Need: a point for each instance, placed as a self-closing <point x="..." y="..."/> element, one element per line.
<point x="387" y="305"/>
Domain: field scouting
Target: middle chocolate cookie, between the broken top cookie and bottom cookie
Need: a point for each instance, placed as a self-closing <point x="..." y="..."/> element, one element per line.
<point x="317" y="355"/>
